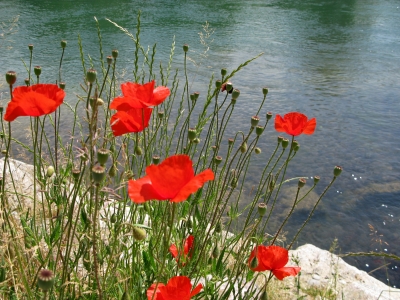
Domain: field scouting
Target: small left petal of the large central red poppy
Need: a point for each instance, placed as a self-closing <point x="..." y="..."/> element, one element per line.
<point x="141" y="190"/>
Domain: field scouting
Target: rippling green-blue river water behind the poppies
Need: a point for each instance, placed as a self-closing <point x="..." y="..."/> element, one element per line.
<point x="338" y="61"/>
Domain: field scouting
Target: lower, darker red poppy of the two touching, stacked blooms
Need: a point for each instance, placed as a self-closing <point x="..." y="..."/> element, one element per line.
<point x="133" y="120"/>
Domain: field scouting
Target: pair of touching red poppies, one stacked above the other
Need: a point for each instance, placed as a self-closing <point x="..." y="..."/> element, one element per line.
<point x="133" y="108"/>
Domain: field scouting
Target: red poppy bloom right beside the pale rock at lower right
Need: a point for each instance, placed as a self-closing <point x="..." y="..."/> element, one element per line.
<point x="273" y="258"/>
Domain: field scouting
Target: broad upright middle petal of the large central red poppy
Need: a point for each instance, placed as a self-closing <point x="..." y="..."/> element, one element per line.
<point x="169" y="177"/>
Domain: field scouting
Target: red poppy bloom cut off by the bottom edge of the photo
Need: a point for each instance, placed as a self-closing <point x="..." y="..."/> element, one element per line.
<point x="178" y="287"/>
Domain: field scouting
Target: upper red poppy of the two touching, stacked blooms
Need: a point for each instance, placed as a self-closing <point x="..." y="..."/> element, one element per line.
<point x="137" y="95"/>
